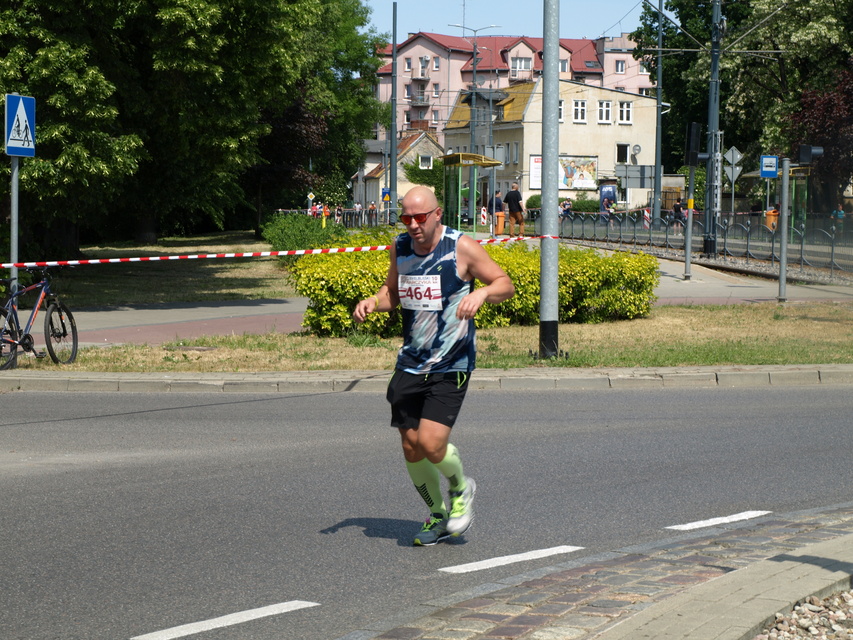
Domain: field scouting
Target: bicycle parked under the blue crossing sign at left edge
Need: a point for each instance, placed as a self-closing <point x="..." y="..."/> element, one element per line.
<point x="60" y="330"/>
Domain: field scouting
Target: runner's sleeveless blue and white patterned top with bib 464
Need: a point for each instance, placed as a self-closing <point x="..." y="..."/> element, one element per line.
<point x="435" y="340"/>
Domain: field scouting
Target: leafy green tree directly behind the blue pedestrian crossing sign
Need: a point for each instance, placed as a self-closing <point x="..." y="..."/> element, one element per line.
<point x="83" y="155"/>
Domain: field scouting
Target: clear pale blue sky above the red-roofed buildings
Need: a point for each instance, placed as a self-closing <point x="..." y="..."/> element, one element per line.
<point x="589" y="19"/>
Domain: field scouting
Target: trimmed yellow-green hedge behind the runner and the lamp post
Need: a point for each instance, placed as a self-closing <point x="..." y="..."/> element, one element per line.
<point x="592" y="288"/>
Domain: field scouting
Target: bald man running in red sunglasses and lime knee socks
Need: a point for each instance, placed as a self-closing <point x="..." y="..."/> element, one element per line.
<point x="431" y="276"/>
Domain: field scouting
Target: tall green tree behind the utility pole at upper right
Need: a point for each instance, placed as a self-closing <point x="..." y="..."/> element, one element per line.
<point x="772" y="52"/>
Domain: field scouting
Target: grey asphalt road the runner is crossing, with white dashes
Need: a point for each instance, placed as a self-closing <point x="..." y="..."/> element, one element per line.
<point x="128" y="514"/>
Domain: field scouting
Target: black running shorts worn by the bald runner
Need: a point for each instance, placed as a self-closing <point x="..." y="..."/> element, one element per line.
<point x="437" y="397"/>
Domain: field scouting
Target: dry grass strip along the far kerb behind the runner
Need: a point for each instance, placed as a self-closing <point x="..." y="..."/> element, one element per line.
<point x="767" y="333"/>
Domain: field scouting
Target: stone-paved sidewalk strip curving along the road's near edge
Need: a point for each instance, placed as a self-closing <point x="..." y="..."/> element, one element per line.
<point x="643" y="591"/>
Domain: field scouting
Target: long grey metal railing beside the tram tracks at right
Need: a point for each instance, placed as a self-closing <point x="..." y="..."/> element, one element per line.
<point x="811" y="243"/>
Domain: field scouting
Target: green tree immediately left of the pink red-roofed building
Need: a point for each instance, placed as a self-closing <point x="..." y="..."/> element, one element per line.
<point x="315" y="142"/>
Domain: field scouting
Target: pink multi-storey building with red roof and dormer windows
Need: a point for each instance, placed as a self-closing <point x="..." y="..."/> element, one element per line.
<point x="432" y="70"/>
